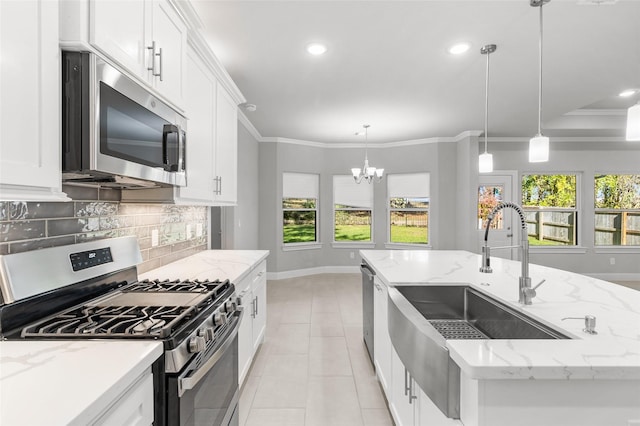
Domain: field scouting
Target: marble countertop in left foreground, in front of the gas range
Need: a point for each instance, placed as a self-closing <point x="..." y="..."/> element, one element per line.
<point x="67" y="382"/>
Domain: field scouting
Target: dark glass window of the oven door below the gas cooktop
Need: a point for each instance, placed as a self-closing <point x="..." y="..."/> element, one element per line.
<point x="213" y="400"/>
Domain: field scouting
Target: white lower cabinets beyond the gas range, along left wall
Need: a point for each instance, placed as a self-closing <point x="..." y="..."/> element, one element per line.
<point x="252" y="293"/>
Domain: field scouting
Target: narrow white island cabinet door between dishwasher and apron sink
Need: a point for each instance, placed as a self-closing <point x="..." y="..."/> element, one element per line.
<point x="382" y="346"/>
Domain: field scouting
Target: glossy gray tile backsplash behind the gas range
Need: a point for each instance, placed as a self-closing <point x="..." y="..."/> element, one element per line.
<point x="98" y="214"/>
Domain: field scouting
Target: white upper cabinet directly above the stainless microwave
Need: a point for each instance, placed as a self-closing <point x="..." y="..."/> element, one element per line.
<point x="147" y="38"/>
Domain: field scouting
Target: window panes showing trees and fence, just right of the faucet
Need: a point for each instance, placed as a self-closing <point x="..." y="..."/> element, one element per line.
<point x="550" y="207"/>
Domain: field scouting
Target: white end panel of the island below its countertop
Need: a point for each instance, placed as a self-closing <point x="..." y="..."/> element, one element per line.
<point x="550" y="402"/>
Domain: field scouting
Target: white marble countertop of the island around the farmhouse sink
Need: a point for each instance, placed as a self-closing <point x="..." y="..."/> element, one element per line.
<point x="614" y="353"/>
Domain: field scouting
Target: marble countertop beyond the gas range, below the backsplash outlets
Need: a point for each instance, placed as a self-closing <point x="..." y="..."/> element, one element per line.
<point x="233" y="265"/>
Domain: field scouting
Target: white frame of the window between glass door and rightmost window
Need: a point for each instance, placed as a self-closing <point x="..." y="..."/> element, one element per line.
<point x="578" y="247"/>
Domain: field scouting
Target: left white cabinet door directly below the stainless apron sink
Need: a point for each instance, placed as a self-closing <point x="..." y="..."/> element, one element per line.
<point x="402" y="408"/>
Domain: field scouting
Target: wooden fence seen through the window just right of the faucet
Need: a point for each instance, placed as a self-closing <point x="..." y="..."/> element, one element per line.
<point x="554" y="226"/>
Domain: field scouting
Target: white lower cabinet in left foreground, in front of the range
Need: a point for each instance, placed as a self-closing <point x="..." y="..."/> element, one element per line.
<point x="134" y="407"/>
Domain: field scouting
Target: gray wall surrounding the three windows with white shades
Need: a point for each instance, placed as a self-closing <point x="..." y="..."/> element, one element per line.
<point x="439" y="159"/>
